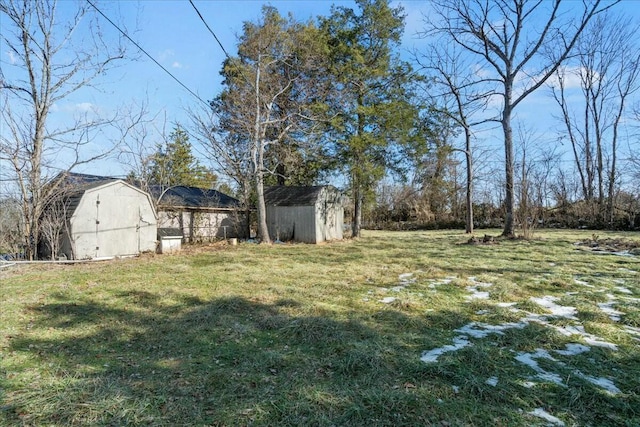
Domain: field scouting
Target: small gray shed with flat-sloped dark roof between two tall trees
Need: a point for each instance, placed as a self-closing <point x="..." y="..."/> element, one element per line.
<point x="304" y="214"/>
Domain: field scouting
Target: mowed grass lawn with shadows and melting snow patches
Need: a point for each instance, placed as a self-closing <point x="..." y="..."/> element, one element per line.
<point x="413" y="328"/>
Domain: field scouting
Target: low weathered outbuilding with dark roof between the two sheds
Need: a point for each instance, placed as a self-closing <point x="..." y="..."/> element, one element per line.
<point x="201" y="214"/>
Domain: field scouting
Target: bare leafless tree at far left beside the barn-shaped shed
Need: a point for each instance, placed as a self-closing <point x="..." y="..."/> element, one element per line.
<point x="51" y="59"/>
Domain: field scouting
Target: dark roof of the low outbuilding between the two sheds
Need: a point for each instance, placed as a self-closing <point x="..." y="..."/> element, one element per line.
<point x="192" y="197"/>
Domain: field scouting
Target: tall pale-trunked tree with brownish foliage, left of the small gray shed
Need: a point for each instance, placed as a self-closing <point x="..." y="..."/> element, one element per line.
<point x="269" y="94"/>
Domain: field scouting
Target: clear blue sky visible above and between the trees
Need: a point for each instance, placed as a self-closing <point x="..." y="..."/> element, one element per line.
<point x="172" y="32"/>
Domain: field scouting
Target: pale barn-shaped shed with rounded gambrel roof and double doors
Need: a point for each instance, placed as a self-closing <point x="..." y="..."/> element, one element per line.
<point x="105" y="218"/>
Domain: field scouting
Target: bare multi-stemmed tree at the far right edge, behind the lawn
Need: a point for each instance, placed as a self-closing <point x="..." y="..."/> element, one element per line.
<point x="607" y="65"/>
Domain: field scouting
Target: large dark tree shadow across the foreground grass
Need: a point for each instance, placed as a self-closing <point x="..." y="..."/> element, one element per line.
<point x="238" y="361"/>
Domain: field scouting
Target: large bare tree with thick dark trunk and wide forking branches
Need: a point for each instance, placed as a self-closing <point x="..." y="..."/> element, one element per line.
<point x="518" y="45"/>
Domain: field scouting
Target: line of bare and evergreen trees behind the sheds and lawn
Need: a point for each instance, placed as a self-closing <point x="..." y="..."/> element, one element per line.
<point x="336" y="99"/>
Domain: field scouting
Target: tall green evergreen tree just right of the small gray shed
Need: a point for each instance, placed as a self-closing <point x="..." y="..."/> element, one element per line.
<point x="373" y="99"/>
